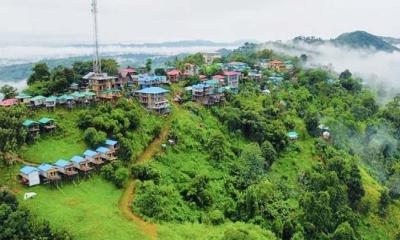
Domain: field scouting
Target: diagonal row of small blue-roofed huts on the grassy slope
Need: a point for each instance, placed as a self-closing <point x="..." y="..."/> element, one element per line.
<point x="66" y="170"/>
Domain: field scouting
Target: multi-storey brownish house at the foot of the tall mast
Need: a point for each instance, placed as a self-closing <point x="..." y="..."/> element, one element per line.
<point x="104" y="86"/>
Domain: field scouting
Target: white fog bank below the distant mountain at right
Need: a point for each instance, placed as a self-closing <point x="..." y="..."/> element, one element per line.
<point x="379" y="70"/>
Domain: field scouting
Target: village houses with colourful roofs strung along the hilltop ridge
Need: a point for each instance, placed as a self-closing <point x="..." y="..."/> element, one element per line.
<point x="148" y="88"/>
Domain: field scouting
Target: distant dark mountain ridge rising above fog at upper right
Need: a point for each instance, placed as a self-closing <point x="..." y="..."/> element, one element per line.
<point x="357" y="40"/>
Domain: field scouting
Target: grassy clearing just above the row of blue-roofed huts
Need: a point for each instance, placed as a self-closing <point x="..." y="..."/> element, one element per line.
<point x="64" y="144"/>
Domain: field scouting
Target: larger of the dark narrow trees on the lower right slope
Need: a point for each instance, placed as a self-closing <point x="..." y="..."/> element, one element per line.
<point x="355" y="188"/>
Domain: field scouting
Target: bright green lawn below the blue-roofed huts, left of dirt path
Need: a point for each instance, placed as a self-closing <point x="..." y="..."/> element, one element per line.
<point x="88" y="210"/>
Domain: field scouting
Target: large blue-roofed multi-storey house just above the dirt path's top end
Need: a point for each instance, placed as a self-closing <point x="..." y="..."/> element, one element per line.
<point x="154" y="98"/>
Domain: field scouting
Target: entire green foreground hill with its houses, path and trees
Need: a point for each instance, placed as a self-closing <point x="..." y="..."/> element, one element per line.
<point x="250" y="144"/>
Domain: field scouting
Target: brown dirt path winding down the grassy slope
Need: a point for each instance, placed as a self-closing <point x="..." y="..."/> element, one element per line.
<point x="128" y="196"/>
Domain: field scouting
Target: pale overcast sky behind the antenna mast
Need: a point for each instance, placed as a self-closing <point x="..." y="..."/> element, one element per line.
<point x="69" y="21"/>
